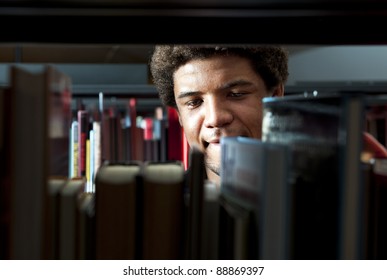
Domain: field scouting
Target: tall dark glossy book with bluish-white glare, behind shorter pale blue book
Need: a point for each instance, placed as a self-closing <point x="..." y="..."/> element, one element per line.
<point x="310" y="127"/>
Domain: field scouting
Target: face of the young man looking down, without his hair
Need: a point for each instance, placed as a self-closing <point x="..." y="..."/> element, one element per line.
<point x="218" y="97"/>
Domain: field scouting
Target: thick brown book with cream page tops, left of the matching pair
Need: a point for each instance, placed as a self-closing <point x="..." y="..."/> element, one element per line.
<point x="116" y="211"/>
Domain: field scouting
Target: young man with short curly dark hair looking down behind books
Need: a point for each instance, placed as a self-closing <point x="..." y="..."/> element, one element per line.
<point x="218" y="91"/>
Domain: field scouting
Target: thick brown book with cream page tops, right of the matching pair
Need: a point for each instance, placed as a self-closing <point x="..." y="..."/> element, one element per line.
<point x="162" y="210"/>
